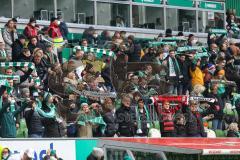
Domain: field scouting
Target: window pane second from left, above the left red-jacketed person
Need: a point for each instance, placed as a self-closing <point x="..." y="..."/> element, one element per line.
<point x="25" y="13"/>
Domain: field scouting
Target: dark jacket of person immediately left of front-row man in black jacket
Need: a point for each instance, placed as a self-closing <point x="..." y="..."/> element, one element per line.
<point x="110" y="120"/>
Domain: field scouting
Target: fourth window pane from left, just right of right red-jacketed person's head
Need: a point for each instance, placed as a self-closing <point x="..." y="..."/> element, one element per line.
<point x="65" y="8"/>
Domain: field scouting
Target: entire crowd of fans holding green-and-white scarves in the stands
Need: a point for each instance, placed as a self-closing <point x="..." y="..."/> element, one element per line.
<point x="114" y="86"/>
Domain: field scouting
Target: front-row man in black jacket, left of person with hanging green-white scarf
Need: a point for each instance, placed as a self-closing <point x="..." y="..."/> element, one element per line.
<point x="126" y="118"/>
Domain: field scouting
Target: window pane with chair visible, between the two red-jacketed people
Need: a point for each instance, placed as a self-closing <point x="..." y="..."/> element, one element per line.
<point x="44" y="9"/>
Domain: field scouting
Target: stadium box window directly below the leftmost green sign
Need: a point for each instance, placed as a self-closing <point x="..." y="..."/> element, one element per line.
<point x="148" y="17"/>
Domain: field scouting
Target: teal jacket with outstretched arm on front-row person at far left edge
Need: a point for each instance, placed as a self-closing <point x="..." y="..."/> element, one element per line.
<point x="7" y="120"/>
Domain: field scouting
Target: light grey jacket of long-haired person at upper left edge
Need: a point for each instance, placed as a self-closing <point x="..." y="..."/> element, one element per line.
<point x="9" y="38"/>
